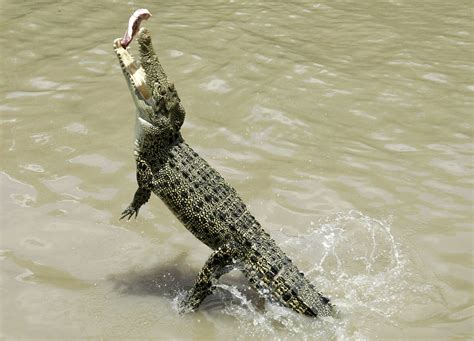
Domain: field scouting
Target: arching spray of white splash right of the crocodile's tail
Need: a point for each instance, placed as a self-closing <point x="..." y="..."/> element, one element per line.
<point x="360" y="264"/>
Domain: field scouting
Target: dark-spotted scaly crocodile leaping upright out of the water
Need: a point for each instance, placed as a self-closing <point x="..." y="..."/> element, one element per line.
<point x="199" y="196"/>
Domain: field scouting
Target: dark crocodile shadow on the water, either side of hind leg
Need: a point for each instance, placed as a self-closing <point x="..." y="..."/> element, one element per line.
<point x="172" y="279"/>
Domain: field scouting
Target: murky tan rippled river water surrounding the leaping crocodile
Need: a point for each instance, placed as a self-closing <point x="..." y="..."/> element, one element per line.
<point x="346" y="127"/>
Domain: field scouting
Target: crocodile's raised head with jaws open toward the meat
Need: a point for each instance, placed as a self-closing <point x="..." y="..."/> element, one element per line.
<point x="160" y="114"/>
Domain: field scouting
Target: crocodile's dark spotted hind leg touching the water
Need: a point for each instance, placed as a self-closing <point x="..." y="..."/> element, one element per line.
<point x="219" y="263"/>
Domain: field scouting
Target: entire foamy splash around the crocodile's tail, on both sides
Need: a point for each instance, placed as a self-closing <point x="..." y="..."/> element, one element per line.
<point x="358" y="262"/>
